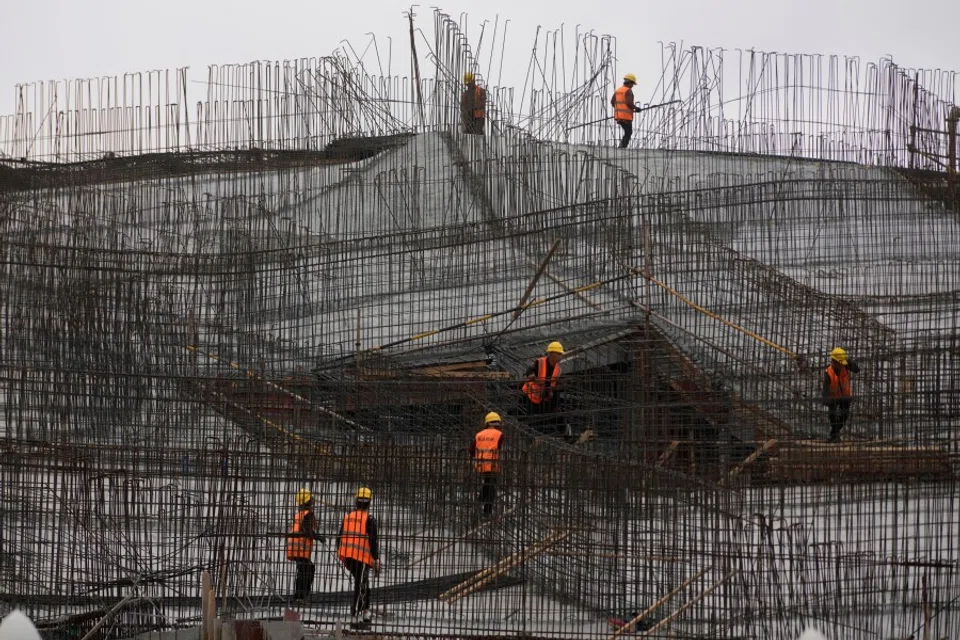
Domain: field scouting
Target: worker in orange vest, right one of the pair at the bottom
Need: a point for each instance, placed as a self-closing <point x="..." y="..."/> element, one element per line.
<point x="359" y="551"/>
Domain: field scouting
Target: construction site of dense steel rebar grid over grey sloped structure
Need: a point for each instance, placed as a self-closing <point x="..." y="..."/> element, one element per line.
<point x="305" y="274"/>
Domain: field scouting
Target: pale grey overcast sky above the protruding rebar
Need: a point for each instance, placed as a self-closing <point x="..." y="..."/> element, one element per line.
<point x="56" y="39"/>
